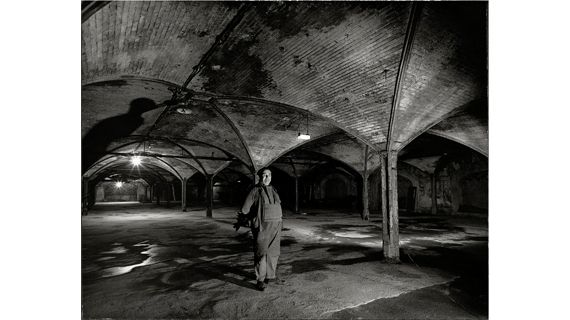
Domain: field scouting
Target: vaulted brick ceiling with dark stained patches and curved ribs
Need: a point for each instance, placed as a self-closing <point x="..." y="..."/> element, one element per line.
<point x="379" y="73"/>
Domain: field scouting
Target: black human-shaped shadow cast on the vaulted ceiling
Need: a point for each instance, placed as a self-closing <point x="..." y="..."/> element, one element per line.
<point x="96" y="141"/>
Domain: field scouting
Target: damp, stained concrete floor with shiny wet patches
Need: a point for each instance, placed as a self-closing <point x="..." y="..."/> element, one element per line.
<point x="143" y="261"/>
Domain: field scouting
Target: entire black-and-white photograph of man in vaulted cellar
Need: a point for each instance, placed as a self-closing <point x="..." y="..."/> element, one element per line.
<point x="284" y="160"/>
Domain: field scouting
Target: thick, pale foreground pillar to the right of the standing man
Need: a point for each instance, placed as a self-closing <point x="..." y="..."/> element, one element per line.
<point x="390" y="232"/>
